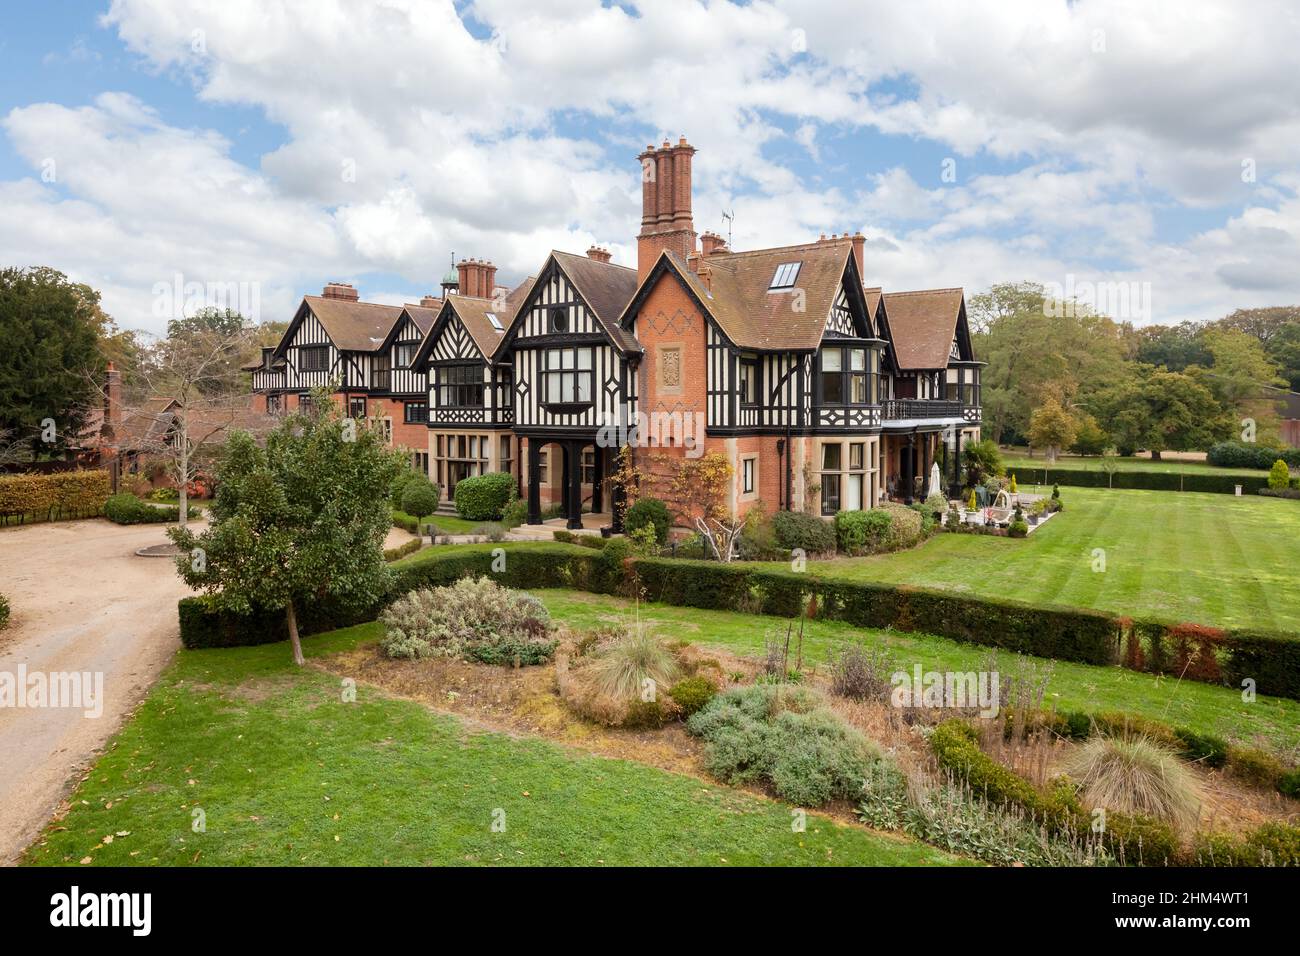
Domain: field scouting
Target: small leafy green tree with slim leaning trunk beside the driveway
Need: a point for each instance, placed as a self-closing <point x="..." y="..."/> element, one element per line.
<point x="300" y="521"/>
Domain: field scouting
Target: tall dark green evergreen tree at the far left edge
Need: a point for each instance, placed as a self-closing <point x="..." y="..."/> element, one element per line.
<point x="50" y="357"/>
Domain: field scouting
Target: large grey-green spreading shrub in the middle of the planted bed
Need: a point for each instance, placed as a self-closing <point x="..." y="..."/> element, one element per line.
<point x="787" y="738"/>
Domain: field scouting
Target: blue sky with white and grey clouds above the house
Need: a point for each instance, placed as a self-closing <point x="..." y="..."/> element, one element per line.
<point x="281" y="144"/>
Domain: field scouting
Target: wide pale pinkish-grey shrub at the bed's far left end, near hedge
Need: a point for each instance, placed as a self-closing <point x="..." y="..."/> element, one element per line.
<point x="474" y="618"/>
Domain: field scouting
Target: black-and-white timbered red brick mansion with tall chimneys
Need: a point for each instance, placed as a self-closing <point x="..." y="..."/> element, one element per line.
<point x="824" y="393"/>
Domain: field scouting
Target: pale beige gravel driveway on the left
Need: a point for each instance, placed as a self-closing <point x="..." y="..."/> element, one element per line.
<point x="81" y="602"/>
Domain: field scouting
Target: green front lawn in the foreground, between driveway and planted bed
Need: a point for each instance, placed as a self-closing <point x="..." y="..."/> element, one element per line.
<point x="287" y="773"/>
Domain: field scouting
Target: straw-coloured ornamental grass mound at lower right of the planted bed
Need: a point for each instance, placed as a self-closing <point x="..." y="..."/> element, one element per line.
<point x="1136" y="776"/>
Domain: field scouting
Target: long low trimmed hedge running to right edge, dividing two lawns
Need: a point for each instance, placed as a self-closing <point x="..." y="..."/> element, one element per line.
<point x="1067" y="634"/>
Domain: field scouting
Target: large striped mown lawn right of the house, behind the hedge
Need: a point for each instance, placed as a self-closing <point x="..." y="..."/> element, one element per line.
<point x="1208" y="559"/>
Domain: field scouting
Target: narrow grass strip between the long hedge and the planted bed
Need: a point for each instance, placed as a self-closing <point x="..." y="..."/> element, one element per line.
<point x="1072" y="686"/>
